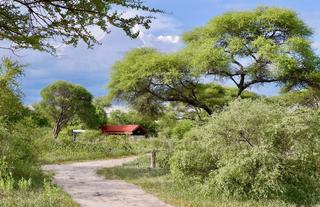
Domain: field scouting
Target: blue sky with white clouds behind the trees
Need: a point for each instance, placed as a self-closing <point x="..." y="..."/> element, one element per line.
<point x="91" y="68"/>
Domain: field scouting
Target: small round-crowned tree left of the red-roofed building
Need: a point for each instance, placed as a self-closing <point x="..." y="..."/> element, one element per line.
<point x="63" y="102"/>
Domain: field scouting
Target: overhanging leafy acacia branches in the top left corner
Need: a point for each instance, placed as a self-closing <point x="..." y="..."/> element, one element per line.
<point x="34" y="24"/>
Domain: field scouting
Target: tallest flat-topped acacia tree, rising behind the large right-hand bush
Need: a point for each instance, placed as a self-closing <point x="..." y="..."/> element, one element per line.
<point x="255" y="47"/>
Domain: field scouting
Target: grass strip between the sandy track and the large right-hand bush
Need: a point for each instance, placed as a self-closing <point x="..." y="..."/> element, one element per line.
<point x="158" y="182"/>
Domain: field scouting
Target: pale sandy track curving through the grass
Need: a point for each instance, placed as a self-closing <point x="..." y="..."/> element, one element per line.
<point x="90" y="190"/>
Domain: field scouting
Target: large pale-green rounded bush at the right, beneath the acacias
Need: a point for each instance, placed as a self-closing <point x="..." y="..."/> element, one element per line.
<point x="254" y="150"/>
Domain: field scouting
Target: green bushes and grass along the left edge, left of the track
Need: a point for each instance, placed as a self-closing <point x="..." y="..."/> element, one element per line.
<point x="20" y="175"/>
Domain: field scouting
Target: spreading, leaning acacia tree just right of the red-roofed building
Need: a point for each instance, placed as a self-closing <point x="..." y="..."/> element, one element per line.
<point x="148" y="79"/>
